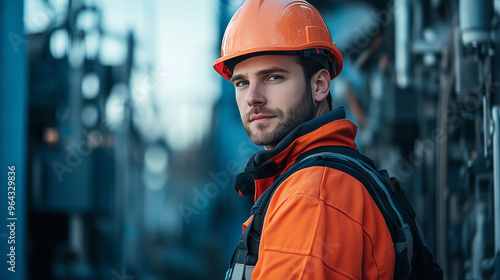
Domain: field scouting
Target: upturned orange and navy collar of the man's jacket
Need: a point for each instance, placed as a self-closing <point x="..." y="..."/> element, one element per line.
<point x="330" y="129"/>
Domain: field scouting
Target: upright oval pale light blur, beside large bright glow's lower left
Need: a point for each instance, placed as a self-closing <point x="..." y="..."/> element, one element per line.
<point x="115" y="105"/>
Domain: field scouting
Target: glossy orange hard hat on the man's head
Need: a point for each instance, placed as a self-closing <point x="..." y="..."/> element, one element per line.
<point x="277" y="26"/>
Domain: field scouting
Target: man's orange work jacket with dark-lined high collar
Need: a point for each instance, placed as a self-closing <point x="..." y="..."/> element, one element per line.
<point x="321" y="223"/>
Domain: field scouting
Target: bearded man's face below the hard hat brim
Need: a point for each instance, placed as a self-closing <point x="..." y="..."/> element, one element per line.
<point x="272" y="96"/>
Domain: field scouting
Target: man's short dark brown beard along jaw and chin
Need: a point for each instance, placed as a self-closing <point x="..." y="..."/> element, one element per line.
<point x="303" y="110"/>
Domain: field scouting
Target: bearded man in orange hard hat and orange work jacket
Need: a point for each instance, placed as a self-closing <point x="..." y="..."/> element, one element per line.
<point x="321" y="223"/>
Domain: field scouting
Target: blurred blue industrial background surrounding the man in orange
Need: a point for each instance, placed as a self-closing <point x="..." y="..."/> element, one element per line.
<point x="126" y="143"/>
